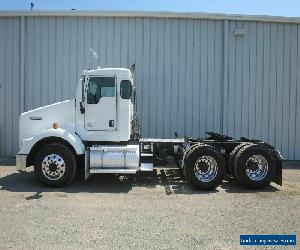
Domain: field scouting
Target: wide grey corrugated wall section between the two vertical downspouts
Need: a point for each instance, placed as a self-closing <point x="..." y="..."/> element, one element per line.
<point x="176" y="85"/>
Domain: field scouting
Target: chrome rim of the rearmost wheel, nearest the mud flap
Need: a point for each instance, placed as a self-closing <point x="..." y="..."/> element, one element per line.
<point x="257" y="167"/>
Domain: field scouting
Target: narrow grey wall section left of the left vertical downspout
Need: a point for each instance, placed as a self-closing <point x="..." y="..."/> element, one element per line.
<point x="9" y="84"/>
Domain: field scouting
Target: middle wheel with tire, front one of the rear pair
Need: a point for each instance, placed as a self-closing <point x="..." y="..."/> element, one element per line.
<point x="204" y="167"/>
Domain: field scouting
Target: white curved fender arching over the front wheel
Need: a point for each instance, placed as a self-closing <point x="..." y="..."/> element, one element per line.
<point x="67" y="135"/>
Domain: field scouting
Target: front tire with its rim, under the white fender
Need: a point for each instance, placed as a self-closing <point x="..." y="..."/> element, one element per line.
<point x="55" y="165"/>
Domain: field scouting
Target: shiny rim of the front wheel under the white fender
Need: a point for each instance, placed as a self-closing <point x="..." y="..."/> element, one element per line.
<point x="53" y="167"/>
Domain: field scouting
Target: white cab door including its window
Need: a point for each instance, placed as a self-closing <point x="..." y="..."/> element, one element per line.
<point x="101" y="103"/>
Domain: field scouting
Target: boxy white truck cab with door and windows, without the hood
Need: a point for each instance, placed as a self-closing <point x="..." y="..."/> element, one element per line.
<point x="104" y="105"/>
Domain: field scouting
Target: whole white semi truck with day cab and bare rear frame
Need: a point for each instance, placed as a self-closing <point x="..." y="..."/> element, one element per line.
<point x="99" y="132"/>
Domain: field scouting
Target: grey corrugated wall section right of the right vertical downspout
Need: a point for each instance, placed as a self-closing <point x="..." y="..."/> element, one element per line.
<point x="262" y="92"/>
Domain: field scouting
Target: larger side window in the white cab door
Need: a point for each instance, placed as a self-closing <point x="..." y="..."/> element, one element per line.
<point x="99" y="87"/>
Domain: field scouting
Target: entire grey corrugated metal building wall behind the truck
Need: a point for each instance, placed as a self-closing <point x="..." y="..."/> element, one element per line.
<point x="193" y="75"/>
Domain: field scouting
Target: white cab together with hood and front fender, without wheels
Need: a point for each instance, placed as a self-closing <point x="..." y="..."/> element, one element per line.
<point x="101" y="111"/>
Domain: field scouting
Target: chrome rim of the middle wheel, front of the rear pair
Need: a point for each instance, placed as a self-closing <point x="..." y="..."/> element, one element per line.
<point x="206" y="168"/>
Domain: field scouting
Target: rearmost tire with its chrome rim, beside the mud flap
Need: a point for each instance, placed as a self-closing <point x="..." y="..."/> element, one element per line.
<point x="254" y="167"/>
